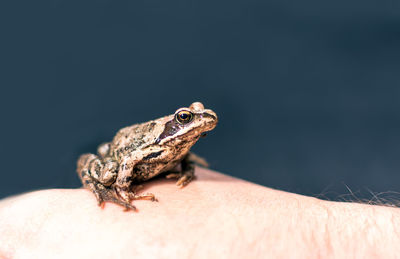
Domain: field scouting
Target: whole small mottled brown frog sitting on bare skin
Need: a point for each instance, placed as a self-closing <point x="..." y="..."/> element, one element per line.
<point x="140" y="152"/>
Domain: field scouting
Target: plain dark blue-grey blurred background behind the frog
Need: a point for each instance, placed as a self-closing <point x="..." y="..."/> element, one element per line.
<point x="307" y="92"/>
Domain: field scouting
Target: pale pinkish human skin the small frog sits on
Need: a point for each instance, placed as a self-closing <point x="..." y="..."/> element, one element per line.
<point x="215" y="216"/>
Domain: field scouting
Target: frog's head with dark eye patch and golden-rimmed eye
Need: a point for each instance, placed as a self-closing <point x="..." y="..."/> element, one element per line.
<point x="188" y="124"/>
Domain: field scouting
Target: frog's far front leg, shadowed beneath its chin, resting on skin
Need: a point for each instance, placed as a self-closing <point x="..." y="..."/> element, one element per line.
<point x="187" y="169"/>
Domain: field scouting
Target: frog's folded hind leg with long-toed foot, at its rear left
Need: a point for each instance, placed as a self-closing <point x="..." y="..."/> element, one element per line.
<point x="97" y="177"/>
